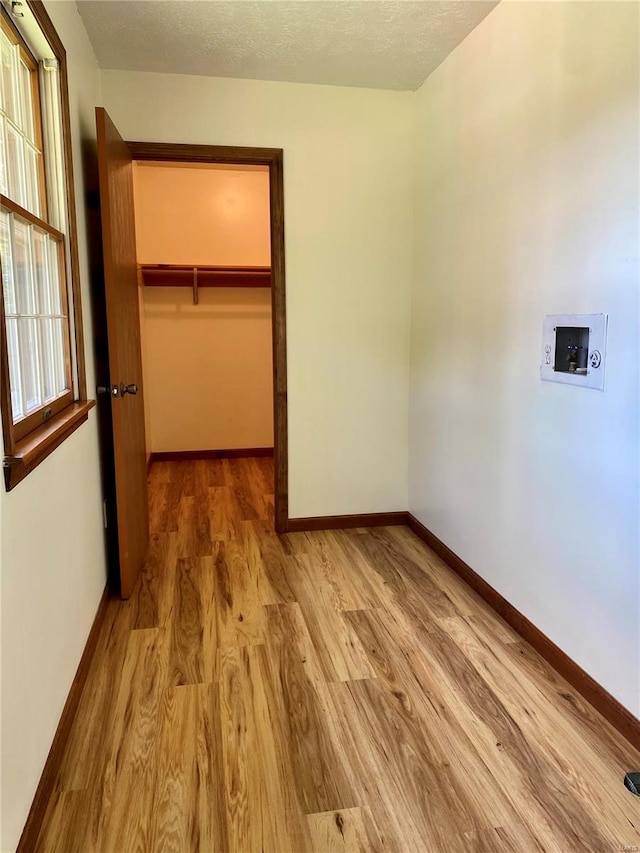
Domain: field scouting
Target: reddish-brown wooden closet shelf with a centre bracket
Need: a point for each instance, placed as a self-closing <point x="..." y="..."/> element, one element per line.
<point x="182" y="275"/>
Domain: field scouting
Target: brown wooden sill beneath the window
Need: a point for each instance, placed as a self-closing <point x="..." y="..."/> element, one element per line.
<point x="31" y="450"/>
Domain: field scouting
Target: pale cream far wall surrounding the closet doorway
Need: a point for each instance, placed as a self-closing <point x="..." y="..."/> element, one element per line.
<point x="348" y="220"/>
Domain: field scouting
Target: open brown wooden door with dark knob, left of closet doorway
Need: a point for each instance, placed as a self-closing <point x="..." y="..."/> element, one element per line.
<point x="123" y="341"/>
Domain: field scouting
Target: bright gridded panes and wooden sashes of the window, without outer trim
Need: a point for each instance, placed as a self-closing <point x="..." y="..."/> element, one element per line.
<point x="32" y="248"/>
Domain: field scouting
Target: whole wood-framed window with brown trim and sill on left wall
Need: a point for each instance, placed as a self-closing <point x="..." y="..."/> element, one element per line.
<point x="43" y="393"/>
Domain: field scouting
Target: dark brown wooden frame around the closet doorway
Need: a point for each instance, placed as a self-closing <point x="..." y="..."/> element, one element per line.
<point x="271" y="157"/>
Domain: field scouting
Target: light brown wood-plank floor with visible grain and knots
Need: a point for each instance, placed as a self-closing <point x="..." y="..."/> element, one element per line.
<point x="325" y="691"/>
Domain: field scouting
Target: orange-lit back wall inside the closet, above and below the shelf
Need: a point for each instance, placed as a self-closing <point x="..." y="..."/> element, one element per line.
<point x="207" y="367"/>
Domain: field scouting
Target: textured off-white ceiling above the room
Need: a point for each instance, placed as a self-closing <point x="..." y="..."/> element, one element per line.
<point x="382" y="44"/>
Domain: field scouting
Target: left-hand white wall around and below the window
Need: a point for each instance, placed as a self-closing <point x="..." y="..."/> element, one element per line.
<point x="52" y="553"/>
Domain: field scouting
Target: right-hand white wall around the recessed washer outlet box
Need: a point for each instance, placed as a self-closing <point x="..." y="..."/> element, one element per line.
<point x="527" y="204"/>
